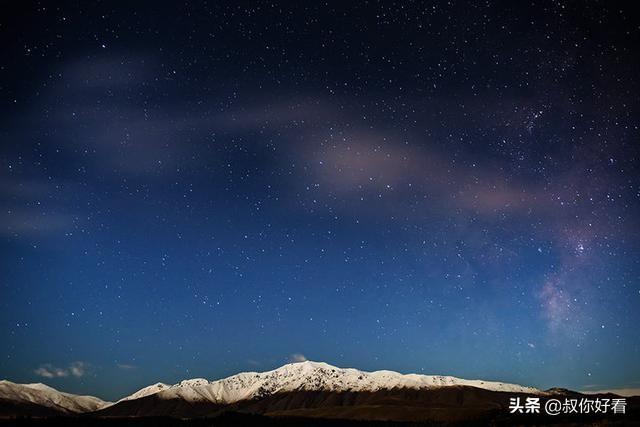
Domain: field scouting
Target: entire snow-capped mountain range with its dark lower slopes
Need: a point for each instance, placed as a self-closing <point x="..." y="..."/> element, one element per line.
<point x="306" y="389"/>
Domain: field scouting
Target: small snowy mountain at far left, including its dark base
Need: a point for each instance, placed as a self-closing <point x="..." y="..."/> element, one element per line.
<point x="40" y="399"/>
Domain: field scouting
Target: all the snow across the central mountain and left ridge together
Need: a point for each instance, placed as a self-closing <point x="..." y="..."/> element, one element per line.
<point x="302" y="376"/>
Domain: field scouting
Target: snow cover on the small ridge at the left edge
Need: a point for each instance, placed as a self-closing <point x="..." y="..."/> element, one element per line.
<point x="41" y="394"/>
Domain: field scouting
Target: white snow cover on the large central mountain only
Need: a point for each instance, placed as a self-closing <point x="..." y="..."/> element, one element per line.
<point x="314" y="376"/>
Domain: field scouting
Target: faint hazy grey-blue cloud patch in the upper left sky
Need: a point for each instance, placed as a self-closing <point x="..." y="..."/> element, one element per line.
<point x="120" y="137"/>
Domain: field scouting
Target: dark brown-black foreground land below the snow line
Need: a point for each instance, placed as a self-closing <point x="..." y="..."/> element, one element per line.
<point x="446" y="406"/>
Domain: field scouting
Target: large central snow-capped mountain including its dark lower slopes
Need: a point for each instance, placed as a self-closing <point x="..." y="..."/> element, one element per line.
<point x="295" y="386"/>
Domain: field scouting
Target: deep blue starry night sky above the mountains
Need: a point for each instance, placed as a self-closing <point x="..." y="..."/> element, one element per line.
<point x="193" y="190"/>
